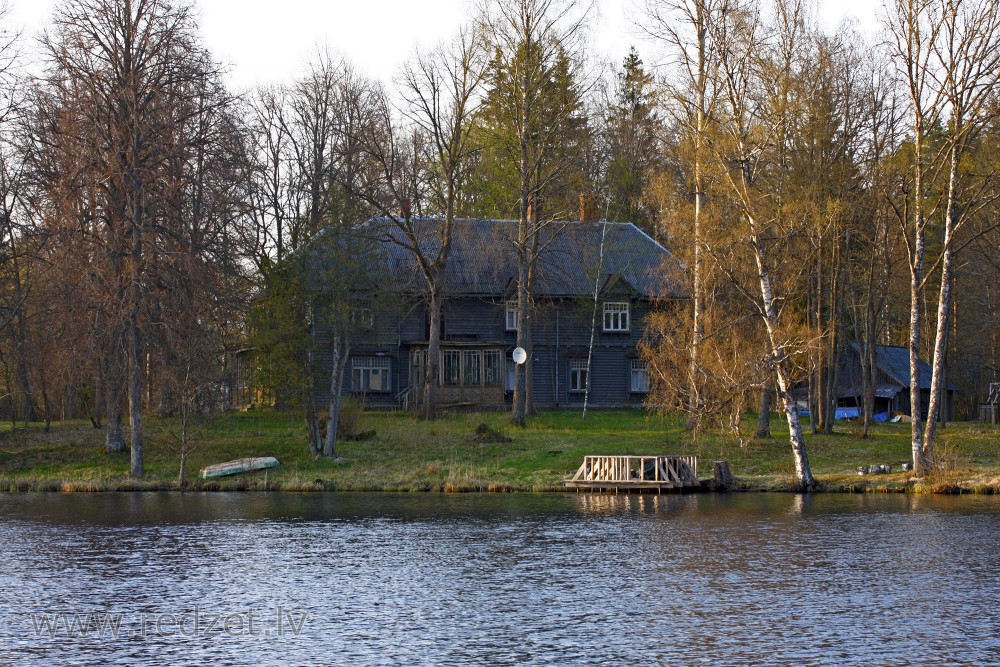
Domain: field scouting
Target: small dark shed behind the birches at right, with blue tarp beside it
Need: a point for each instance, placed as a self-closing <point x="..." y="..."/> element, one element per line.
<point x="892" y="382"/>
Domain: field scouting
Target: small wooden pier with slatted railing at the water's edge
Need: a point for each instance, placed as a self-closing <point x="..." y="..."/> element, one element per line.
<point x="635" y="473"/>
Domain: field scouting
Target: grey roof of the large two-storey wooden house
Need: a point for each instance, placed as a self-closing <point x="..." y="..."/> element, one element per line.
<point x="483" y="259"/>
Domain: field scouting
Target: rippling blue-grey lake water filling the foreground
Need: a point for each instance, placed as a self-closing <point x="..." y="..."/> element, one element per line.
<point x="372" y="579"/>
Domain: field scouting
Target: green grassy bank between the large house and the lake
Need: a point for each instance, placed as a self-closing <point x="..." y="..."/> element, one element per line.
<point x="412" y="455"/>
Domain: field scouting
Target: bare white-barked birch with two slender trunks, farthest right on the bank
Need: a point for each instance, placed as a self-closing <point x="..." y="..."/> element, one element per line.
<point x="949" y="55"/>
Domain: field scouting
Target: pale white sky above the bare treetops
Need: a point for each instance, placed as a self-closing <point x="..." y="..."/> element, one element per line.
<point x="265" y="41"/>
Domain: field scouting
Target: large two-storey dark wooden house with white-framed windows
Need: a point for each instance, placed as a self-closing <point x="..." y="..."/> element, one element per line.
<point x="626" y="268"/>
